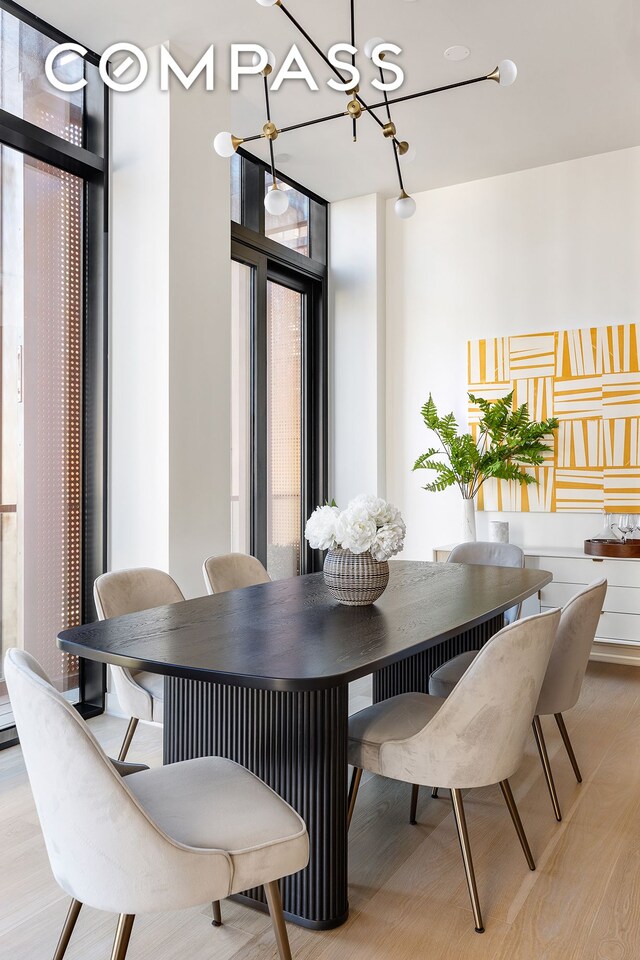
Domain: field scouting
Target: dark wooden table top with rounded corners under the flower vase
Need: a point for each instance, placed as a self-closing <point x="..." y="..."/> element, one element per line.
<point x="292" y="635"/>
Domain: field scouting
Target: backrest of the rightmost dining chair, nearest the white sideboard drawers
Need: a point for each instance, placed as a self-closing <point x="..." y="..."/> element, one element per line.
<point x="570" y="654"/>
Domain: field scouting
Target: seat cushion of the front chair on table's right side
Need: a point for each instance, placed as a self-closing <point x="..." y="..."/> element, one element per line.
<point x="394" y="719"/>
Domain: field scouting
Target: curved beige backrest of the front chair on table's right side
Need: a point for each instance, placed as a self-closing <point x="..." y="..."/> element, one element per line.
<point x="478" y="735"/>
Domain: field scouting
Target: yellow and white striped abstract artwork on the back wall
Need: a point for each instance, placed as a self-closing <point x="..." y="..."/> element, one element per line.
<point x="590" y="380"/>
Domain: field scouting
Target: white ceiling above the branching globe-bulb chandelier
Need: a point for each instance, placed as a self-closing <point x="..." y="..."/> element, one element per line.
<point x="578" y="88"/>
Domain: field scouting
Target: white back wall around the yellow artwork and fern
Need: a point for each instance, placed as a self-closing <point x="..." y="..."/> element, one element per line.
<point x="552" y="248"/>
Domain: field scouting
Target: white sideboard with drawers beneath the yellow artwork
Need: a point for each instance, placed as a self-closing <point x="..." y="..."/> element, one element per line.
<point x="618" y="636"/>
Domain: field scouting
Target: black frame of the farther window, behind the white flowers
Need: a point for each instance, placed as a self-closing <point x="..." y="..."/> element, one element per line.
<point x="308" y="275"/>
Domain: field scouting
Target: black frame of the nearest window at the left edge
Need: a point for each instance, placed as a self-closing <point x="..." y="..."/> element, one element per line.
<point x="89" y="162"/>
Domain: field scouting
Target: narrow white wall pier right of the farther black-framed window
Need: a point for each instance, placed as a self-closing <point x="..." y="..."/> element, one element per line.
<point x="357" y="348"/>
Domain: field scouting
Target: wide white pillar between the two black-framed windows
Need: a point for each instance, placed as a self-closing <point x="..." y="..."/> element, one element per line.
<point x="170" y="330"/>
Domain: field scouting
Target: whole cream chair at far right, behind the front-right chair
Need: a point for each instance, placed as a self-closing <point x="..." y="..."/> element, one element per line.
<point x="564" y="677"/>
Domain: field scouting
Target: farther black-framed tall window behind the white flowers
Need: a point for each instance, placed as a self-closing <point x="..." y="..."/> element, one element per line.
<point x="279" y="369"/>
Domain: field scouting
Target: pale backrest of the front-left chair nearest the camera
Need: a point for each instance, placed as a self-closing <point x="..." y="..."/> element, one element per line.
<point x="104" y="849"/>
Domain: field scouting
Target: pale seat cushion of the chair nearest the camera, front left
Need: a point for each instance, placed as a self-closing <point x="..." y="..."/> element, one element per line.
<point x="213" y="803"/>
